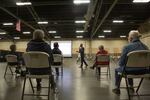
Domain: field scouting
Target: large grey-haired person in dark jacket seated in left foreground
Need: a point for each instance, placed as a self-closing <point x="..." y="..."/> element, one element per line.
<point x="38" y="44"/>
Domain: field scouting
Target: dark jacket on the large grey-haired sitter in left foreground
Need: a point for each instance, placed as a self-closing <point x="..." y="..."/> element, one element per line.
<point x="40" y="45"/>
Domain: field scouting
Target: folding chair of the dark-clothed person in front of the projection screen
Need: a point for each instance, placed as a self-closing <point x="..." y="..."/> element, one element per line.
<point x="58" y="62"/>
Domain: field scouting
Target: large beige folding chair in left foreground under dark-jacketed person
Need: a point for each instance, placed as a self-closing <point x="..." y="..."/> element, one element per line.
<point x="37" y="60"/>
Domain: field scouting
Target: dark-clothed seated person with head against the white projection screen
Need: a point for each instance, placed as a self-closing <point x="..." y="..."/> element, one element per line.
<point x="56" y="50"/>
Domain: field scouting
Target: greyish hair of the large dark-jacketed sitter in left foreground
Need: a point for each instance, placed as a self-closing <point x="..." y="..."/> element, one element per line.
<point x="38" y="34"/>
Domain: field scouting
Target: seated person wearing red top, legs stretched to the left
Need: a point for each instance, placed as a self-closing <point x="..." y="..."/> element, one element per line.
<point x="101" y="51"/>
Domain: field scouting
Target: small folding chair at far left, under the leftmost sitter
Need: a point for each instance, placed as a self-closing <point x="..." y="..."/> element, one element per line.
<point x="12" y="62"/>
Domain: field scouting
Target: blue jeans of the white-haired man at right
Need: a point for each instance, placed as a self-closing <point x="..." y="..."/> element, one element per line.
<point x="131" y="71"/>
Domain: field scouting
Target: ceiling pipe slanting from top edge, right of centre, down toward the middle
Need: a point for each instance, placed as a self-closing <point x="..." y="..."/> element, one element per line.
<point x="106" y="15"/>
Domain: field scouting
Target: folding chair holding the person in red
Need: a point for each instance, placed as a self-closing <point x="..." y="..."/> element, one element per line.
<point x="103" y="60"/>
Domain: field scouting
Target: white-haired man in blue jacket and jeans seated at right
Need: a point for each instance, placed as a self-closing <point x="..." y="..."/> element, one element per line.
<point x="134" y="44"/>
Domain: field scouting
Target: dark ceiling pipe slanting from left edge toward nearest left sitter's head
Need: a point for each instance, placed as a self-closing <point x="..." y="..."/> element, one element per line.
<point x="13" y="15"/>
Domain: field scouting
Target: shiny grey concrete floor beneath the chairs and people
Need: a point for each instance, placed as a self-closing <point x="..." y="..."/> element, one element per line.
<point x="74" y="85"/>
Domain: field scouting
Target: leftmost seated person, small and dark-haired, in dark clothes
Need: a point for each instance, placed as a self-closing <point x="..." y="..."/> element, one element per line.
<point x="13" y="52"/>
